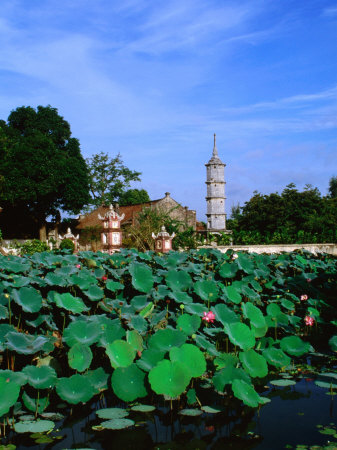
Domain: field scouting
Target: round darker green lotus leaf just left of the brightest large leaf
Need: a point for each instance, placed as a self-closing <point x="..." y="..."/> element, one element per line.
<point x="128" y="383"/>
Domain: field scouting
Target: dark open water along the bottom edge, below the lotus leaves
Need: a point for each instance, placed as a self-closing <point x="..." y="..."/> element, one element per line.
<point x="290" y="419"/>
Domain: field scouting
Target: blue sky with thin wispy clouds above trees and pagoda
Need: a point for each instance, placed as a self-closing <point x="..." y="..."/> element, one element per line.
<point x="155" y="79"/>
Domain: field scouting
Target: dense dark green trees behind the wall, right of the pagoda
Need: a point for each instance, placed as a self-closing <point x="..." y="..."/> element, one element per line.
<point x="289" y="217"/>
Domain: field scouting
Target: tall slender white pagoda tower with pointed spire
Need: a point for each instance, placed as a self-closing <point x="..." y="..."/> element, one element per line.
<point x="216" y="216"/>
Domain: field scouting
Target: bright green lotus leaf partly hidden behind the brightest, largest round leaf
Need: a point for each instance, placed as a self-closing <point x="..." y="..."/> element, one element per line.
<point x="192" y="357"/>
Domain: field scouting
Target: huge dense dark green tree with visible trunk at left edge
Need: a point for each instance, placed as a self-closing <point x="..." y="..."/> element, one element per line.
<point x="41" y="166"/>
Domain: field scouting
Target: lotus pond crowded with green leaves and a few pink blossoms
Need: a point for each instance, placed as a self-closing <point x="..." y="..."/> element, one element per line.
<point x="196" y="350"/>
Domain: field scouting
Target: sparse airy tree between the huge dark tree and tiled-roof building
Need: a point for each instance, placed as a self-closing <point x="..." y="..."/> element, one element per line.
<point x="109" y="178"/>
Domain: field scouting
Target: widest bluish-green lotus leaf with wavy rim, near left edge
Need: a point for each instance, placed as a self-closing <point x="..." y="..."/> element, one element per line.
<point x="26" y="344"/>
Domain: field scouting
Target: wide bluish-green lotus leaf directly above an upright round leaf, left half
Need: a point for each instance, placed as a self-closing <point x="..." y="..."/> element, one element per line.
<point x="83" y="332"/>
